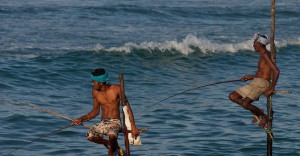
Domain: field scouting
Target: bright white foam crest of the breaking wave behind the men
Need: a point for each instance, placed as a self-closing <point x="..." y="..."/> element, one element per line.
<point x="191" y="44"/>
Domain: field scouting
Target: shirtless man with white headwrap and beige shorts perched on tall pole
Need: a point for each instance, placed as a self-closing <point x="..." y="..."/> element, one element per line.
<point x="245" y="95"/>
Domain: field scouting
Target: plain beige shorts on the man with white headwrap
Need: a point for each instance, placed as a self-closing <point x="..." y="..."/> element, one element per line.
<point x="253" y="90"/>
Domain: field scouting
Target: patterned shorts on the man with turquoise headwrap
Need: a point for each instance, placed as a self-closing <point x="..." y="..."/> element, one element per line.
<point x="105" y="127"/>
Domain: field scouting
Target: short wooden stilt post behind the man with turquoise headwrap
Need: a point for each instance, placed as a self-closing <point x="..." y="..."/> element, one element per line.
<point x="123" y="102"/>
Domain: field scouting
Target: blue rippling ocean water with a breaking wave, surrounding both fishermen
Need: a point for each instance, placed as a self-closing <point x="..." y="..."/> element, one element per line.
<point x="49" y="47"/>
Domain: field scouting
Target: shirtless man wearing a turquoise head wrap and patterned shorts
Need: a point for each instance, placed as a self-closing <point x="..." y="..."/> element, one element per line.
<point x="107" y="98"/>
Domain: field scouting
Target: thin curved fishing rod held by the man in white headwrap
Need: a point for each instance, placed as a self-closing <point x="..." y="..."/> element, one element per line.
<point x="187" y="91"/>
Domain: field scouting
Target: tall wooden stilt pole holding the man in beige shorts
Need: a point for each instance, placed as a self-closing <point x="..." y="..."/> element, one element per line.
<point x="273" y="57"/>
